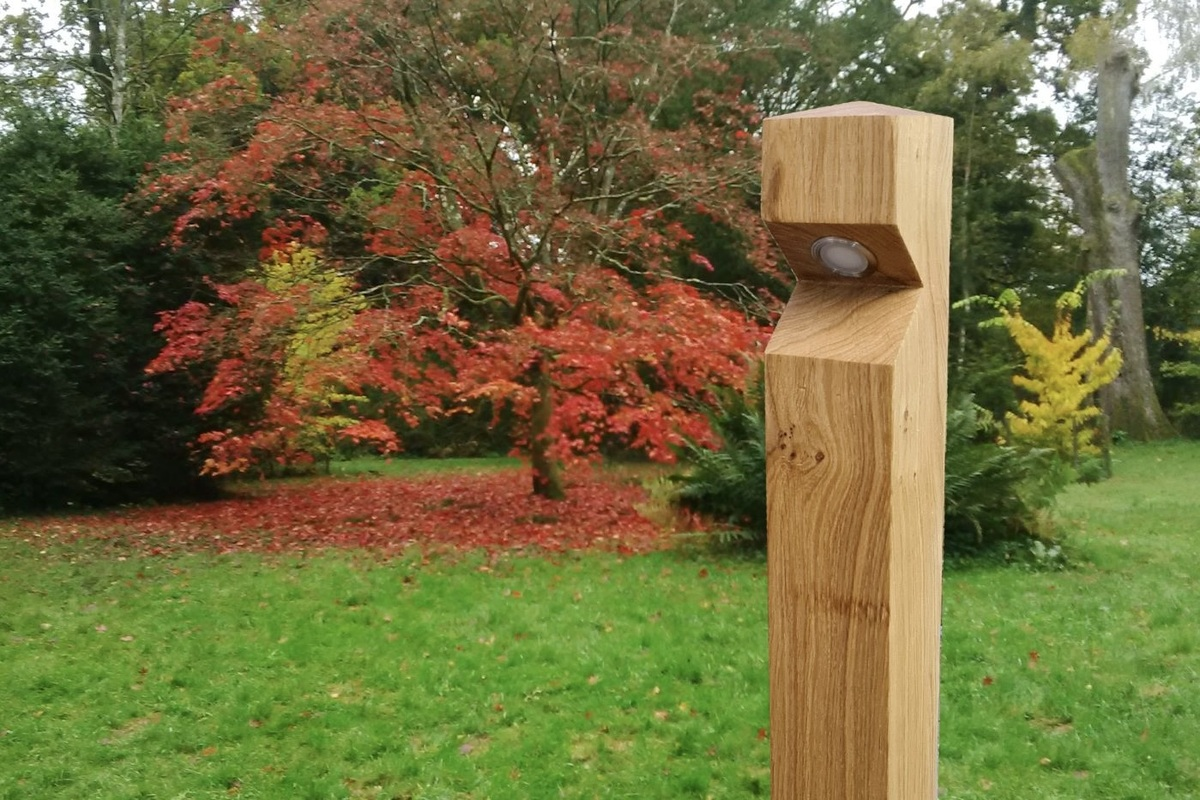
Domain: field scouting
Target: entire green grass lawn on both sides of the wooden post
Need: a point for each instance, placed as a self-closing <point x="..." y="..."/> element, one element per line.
<point x="581" y="676"/>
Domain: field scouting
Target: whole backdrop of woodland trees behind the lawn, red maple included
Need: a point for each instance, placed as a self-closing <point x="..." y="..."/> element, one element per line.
<point x="253" y="238"/>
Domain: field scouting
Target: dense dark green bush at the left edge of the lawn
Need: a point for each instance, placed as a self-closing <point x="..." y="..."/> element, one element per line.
<point x="81" y="280"/>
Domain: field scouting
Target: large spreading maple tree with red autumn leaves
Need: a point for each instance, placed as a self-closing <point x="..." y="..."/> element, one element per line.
<point x="489" y="208"/>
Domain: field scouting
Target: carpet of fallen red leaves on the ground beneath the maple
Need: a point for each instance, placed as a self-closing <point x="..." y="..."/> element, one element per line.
<point x="491" y="512"/>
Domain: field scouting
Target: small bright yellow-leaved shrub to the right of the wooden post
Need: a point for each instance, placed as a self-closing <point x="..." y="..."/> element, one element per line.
<point x="1061" y="374"/>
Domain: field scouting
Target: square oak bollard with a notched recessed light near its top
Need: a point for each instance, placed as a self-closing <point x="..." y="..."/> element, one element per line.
<point x="859" y="199"/>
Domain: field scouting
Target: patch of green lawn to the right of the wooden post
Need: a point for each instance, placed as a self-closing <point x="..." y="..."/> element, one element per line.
<point x="1111" y="707"/>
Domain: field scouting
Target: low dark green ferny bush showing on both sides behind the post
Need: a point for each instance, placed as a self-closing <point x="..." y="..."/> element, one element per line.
<point x="995" y="495"/>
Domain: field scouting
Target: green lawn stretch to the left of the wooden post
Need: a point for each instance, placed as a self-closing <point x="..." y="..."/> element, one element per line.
<point x="346" y="678"/>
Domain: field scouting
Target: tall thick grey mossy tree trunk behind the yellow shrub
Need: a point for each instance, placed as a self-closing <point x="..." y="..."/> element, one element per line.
<point x="1097" y="181"/>
